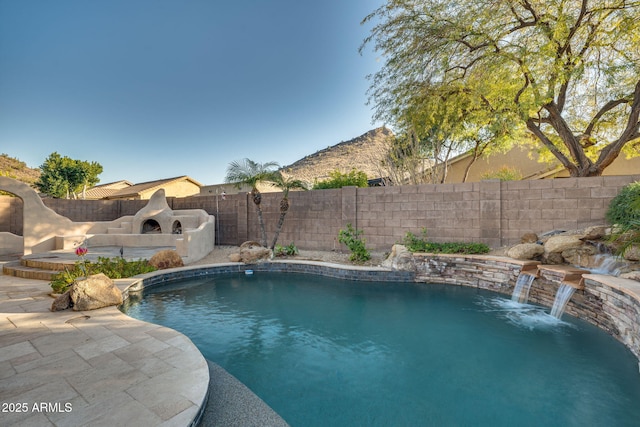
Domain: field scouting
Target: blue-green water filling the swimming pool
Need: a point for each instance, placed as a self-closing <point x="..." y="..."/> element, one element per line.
<point x="325" y="352"/>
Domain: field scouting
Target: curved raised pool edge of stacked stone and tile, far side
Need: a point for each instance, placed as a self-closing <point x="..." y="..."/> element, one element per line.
<point x="611" y="303"/>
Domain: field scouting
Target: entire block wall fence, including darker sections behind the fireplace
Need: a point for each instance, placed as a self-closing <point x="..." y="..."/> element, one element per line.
<point x="491" y="212"/>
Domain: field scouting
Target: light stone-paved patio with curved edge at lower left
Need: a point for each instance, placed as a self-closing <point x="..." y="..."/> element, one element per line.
<point x="98" y="368"/>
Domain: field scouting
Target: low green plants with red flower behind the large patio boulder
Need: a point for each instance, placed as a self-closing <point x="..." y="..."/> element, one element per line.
<point x="114" y="268"/>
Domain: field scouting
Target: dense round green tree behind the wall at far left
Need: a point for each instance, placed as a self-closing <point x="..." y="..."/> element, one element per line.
<point x="64" y="176"/>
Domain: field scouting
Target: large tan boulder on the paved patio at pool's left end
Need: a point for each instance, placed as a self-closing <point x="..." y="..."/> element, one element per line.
<point x="94" y="292"/>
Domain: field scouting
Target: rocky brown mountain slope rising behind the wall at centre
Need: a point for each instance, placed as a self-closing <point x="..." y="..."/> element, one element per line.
<point x="363" y="153"/>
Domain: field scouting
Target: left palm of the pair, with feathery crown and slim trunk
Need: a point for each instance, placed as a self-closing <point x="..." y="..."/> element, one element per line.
<point x="252" y="173"/>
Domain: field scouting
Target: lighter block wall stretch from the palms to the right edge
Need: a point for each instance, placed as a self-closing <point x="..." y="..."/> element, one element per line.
<point x="491" y="212"/>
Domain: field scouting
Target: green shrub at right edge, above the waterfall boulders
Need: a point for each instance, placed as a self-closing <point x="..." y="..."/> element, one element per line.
<point x="624" y="213"/>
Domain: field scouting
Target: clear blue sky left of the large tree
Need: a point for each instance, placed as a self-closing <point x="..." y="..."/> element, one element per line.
<point x="154" y="88"/>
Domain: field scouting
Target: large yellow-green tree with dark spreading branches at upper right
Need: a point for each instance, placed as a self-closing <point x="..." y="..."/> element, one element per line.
<point x="566" y="71"/>
